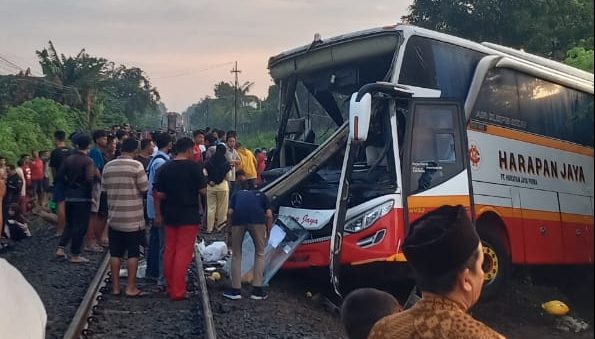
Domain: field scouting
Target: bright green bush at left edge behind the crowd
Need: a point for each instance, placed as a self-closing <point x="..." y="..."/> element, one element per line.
<point x="31" y="126"/>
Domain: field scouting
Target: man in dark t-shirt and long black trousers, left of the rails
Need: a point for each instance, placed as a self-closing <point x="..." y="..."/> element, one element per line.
<point x="77" y="174"/>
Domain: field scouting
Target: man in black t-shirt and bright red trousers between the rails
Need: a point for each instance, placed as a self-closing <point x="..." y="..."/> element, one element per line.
<point x="176" y="192"/>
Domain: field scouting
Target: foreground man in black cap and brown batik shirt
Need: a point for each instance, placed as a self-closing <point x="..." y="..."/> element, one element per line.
<point x="445" y="254"/>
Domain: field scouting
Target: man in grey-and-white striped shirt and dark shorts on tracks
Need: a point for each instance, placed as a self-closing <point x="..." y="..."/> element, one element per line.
<point x="125" y="182"/>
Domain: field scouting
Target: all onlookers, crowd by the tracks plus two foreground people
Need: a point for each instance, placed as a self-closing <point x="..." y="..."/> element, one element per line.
<point x="109" y="188"/>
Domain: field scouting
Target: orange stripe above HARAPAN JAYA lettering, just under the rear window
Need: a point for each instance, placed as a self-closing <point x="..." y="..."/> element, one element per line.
<point x="537" y="140"/>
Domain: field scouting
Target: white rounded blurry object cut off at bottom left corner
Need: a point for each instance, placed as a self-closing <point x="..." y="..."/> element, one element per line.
<point x="22" y="314"/>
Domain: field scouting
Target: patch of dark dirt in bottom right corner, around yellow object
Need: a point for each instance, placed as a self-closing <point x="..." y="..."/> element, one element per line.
<point x="516" y="312"/>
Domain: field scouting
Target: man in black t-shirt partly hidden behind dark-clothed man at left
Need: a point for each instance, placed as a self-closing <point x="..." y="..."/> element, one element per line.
<point x="56" y="158"/>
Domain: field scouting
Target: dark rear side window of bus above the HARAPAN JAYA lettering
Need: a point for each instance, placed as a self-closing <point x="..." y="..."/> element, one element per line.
<point x="516" y="100"/>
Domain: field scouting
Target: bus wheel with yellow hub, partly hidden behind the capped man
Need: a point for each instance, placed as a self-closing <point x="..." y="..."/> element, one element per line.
<point x="496" y="261"/>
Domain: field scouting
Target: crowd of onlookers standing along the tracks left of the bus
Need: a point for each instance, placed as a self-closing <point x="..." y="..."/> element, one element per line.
<point x="139" y="194"/>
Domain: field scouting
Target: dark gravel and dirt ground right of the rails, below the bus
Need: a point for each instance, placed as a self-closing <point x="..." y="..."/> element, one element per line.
<point x="515" y="312"/>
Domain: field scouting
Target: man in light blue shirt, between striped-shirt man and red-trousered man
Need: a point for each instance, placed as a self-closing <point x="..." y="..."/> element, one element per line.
<point x="157" y="231"/>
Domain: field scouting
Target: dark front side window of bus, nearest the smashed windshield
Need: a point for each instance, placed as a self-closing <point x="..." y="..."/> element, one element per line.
<point x="438" y="65"/>
